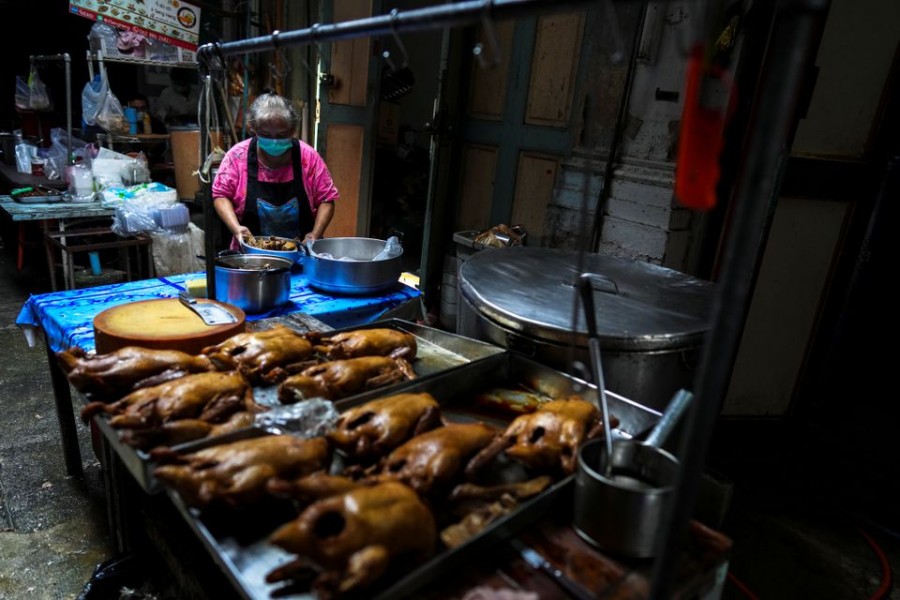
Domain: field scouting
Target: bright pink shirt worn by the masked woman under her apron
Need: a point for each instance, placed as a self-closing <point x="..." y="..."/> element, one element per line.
<point x="231" y="179"/>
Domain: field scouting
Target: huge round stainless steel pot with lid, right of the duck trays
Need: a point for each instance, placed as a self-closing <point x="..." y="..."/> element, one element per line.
<point x="651" y="320"/>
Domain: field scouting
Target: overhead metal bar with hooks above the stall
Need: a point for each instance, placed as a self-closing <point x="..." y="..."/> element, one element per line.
<point x="420" y="19"/>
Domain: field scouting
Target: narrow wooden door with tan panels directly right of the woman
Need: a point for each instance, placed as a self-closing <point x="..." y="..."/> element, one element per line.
<point x="345" y="117"/>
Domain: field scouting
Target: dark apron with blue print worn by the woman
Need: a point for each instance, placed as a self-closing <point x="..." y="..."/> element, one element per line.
<point x="280" y="209"/>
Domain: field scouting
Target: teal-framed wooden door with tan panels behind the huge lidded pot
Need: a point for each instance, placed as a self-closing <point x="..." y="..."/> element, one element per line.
<point x="517" y="123"/>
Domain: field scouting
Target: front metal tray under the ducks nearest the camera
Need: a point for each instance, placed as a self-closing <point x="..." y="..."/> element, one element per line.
<point x="246" y="561"/>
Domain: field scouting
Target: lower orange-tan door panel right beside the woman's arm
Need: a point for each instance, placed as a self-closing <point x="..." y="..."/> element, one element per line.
<point x="345" y="150"/>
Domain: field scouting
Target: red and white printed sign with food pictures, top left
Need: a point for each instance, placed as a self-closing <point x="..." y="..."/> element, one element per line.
<point x="170" y="21"/>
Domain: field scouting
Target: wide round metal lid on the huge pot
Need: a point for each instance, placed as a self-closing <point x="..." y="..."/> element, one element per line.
<point x="639" y="306"/>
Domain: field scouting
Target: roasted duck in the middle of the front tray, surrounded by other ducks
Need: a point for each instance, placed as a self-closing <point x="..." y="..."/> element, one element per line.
<point x="432" y="462"/>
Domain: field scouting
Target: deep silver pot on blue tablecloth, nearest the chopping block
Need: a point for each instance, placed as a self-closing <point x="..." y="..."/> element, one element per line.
<point x="253" y="282"/>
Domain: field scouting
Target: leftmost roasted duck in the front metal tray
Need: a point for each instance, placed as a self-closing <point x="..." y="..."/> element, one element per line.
<point x="235" y="474"/>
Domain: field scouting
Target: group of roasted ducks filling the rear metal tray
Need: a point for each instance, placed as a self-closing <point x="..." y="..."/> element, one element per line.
<point x="167" y="397"/>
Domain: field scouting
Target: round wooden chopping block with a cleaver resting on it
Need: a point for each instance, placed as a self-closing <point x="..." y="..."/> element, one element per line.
<point x="162" y="324"/>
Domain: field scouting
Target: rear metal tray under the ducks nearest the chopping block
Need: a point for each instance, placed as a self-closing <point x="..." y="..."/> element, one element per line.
<point x="438" y="352"/>
